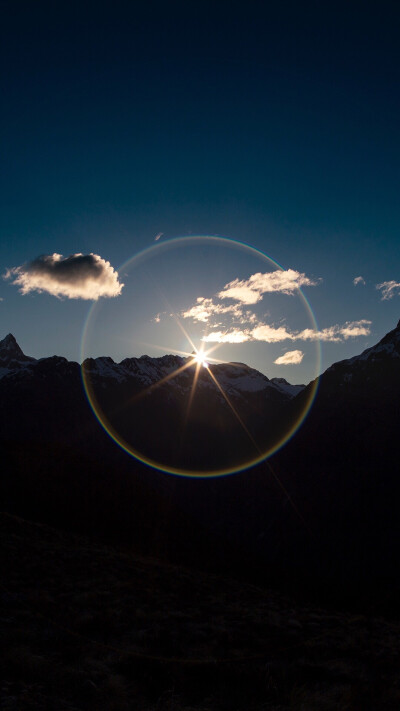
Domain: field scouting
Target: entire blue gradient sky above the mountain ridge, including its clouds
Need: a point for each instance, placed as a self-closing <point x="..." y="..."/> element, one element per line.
<point x="125" y="126"/>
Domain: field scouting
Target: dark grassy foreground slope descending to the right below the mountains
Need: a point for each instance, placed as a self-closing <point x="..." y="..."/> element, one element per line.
<point x="86" y="626"/>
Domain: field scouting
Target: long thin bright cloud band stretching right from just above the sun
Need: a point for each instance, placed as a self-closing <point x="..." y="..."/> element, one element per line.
<point x="270" y="334"/>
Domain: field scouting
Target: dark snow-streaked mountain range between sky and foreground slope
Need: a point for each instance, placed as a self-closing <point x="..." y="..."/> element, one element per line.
<point x="320" y="516"/>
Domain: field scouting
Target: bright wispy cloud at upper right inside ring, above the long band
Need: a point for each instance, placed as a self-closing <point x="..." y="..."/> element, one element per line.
<point x="251" y="290"/>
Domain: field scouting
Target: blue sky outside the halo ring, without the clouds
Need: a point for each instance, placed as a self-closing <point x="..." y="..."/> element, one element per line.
<point x="276" y="124"/>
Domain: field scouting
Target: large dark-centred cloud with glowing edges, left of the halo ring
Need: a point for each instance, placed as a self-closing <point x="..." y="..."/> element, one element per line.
<point x="79" y="276"/>
